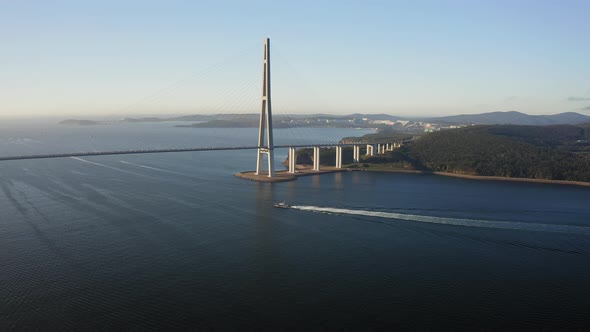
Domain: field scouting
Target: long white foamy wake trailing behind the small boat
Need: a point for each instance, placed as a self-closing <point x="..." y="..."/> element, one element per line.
<point x="497" y="224"/>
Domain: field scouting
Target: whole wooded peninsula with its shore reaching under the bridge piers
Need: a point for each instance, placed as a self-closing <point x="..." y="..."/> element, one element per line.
<point x="558" y="154"/>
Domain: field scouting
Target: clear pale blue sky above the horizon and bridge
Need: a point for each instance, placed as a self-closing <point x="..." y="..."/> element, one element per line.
<point x="398" y="57"/>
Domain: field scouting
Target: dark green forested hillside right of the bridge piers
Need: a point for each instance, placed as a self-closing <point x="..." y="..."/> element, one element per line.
<point x="551" y="152"/>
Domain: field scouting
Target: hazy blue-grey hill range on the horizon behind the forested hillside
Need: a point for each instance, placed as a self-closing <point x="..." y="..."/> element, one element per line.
<point x="516" y="118"/>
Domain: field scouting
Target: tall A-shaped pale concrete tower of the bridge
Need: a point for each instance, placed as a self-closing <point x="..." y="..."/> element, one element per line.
<point x="265" y="126"/>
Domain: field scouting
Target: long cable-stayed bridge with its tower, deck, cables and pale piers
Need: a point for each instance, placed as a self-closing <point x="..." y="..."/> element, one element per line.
<point x="240" y="100"/>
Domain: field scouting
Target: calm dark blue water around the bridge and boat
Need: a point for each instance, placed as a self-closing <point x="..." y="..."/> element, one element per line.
<point x="174" y="241"/>
